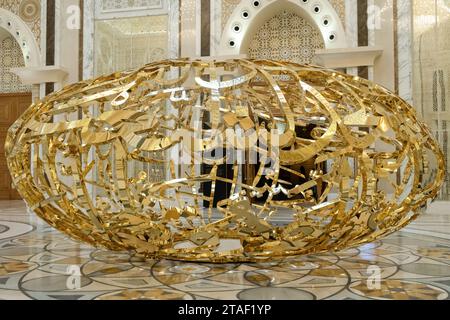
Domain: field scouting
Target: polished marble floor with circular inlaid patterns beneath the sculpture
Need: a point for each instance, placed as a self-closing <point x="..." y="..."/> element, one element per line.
<point x="37" y="262"/>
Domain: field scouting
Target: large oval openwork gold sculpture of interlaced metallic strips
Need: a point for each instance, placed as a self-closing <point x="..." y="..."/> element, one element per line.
<point x="224" y="161"/>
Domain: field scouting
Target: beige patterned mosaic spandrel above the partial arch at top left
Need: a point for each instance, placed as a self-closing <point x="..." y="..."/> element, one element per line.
<point x="29" y="11"/>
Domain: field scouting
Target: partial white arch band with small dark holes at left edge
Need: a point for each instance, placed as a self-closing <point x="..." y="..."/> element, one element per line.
<point x="23" y="35"/>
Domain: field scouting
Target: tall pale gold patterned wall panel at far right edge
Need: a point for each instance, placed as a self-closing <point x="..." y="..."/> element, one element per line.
<point x="432" y="70"/>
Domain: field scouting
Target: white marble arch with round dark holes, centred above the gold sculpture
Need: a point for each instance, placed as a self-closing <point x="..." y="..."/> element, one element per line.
<point x="250" y="15"/>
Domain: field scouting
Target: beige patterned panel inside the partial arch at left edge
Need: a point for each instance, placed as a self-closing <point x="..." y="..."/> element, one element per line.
<point x="11" y="57"/>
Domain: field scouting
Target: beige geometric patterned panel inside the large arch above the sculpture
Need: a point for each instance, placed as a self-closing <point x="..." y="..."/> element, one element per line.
<point x="286" y="36"/>
